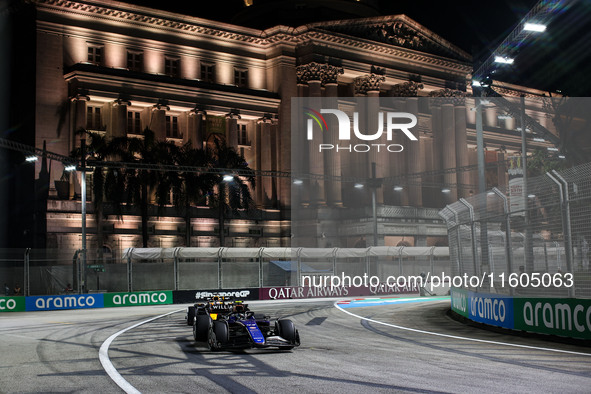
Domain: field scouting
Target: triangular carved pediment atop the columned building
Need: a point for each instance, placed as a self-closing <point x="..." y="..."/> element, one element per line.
<point x="397" y="30"/>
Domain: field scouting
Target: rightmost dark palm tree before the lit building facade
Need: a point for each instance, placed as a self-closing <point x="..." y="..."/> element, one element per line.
<point x="232" y="194"/>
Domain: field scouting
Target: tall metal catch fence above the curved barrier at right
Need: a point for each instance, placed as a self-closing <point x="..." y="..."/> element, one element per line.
<point x="531" y="239"/>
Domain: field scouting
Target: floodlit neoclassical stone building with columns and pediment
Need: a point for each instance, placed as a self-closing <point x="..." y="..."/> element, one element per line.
<point x="116" y="69"/>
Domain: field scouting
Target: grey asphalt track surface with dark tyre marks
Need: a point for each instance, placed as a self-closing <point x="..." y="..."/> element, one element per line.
<point x="59" y="352"/>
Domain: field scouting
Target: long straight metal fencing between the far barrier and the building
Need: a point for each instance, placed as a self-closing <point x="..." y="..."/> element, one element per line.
<point x="43" y="272"/>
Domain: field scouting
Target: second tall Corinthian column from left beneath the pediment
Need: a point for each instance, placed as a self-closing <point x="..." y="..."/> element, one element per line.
<point x="332" y="160"/>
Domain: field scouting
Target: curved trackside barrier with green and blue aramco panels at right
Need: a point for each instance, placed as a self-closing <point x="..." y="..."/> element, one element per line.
<point x="566" y="317"/>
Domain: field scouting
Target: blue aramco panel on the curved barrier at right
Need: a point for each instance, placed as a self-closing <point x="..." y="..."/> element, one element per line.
<point x="491" y="309"/>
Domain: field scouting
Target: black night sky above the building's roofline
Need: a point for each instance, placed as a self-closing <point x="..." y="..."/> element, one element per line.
<point x="557" y="60"/>
